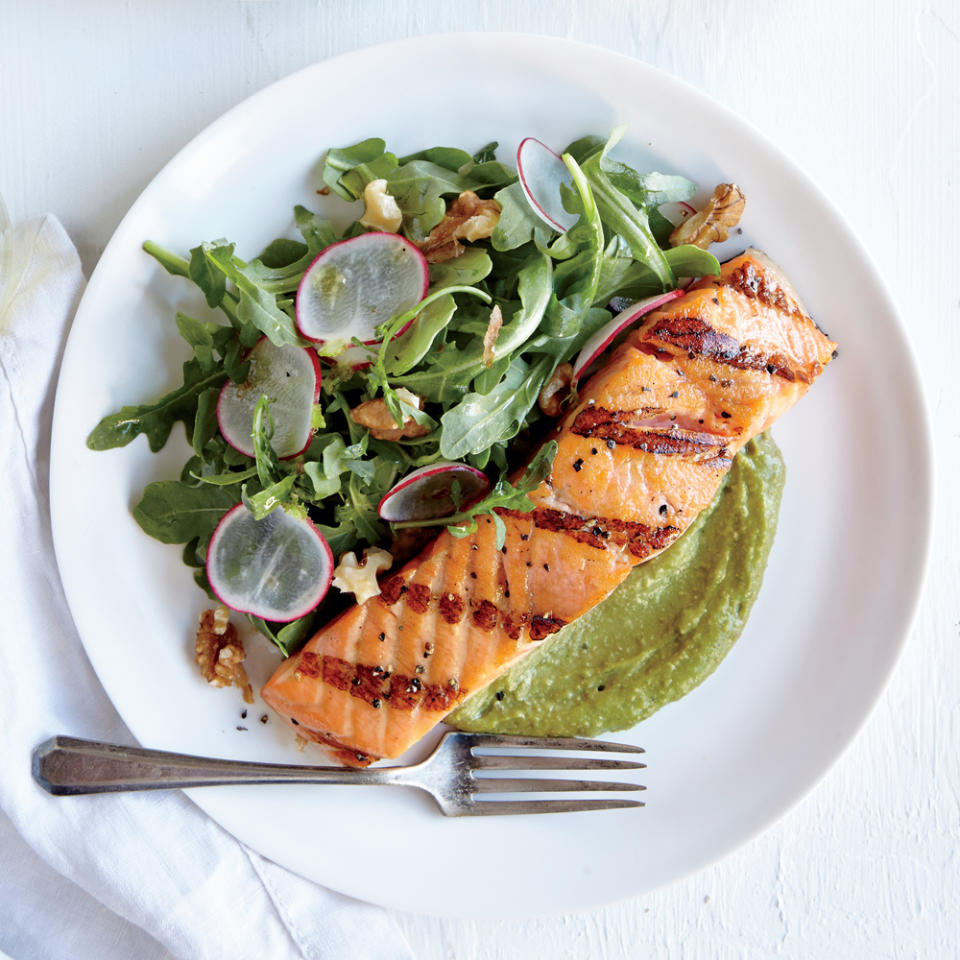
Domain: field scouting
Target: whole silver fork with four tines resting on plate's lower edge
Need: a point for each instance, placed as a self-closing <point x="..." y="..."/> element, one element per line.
<point x="66" y="766"/>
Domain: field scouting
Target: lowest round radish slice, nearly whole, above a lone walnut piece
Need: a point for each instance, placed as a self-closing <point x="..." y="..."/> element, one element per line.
<point x="278" y="568"/>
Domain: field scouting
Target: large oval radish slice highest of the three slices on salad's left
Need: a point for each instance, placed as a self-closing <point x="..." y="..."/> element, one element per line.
<point x="356" y="284"/>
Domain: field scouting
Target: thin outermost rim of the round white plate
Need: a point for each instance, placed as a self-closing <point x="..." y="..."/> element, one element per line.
<point x="926" y="490"/>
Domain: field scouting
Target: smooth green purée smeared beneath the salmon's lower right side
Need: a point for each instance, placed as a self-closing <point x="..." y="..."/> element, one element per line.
<point x="662" y="632"/>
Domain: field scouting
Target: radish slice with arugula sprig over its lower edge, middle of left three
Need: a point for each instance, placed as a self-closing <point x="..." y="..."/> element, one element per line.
<point x="290" y="377"/>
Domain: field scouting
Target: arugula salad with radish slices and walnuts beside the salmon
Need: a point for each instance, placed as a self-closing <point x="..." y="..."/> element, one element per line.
<point x="398" y="373"/>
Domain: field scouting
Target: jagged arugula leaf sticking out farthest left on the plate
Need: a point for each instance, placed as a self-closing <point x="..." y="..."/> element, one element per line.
<point x="156" y="420"/>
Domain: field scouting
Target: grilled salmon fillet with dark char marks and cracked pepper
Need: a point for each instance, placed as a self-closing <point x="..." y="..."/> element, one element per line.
<point x="641" y="453"/>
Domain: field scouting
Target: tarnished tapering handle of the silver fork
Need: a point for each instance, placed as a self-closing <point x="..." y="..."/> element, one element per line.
<point x="67" y="766"/>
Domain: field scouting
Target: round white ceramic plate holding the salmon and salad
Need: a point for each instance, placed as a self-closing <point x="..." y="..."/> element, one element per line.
<point x="843" y="577"/>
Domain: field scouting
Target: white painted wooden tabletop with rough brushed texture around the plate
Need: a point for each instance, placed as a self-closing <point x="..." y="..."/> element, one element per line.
<point x="95" y="97"/>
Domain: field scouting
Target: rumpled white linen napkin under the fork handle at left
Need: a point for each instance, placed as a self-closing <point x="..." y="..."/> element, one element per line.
<point x="155" y="859"/>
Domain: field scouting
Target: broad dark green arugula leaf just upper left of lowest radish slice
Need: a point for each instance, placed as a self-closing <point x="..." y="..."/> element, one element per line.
<point x="176" y="512"/>
